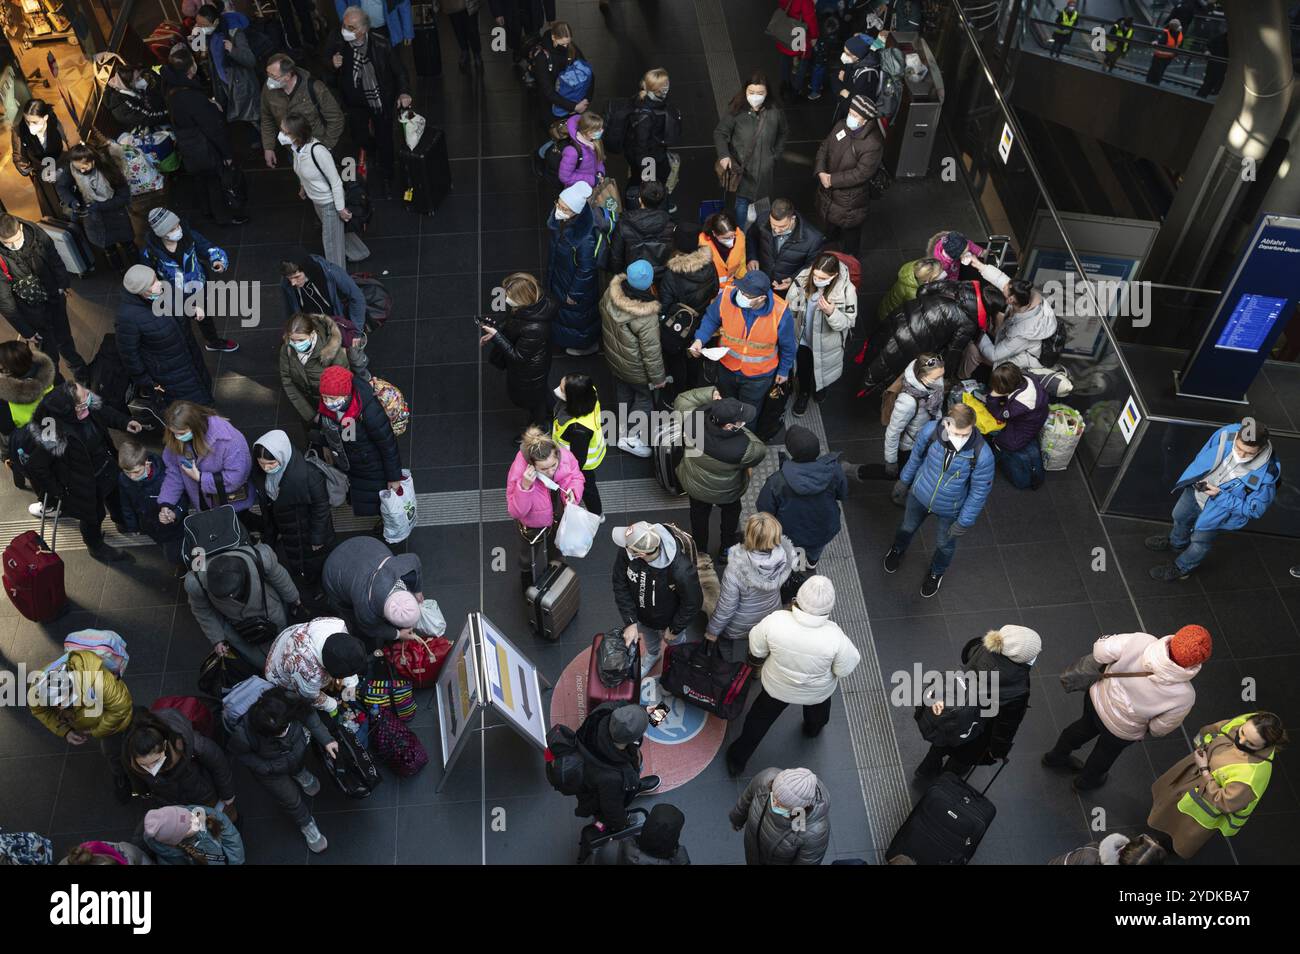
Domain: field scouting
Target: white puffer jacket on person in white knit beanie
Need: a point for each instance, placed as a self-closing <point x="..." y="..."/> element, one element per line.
<point x="807" y="656"/>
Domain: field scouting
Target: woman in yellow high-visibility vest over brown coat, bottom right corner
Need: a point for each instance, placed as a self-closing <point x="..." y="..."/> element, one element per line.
<point x="1219" y="786"/>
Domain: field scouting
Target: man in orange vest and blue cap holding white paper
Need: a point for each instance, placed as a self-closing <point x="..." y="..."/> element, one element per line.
<point x="752" y="323"/>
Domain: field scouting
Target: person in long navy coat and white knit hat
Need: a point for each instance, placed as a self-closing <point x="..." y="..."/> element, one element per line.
<point x="571" y="275"/>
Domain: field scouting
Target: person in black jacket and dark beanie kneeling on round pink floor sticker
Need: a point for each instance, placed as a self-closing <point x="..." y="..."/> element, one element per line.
<point x="610" y="740"/>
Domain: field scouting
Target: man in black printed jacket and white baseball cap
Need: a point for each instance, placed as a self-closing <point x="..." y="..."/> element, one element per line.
<point x="656" y="588"/>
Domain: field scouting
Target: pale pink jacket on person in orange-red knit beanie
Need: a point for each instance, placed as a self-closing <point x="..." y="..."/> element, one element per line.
<point x="1130" y="708"/>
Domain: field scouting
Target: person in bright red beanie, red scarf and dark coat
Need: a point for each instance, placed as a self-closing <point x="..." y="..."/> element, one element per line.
<point x="370" y="456"/>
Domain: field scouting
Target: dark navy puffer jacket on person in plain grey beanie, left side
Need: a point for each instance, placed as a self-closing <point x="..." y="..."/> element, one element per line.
<point x="162" y="350"/>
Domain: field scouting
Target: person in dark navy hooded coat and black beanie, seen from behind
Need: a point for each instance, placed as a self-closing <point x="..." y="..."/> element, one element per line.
<point x="805" y="493"/>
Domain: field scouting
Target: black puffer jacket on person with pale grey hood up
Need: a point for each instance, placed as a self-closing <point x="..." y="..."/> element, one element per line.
<point x="300" y="518"/>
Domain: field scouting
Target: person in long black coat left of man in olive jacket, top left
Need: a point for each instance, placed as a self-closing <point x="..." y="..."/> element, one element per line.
<point x="201" y="135"/>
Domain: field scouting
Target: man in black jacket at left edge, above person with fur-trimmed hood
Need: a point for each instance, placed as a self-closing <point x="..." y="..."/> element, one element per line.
<point x="33" y="284"/>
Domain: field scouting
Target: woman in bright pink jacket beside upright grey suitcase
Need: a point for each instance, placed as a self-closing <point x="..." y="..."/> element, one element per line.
<point x="543" y="478"/>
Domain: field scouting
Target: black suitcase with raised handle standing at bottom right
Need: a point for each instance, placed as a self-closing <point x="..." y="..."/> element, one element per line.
<point x="948" y="823"/>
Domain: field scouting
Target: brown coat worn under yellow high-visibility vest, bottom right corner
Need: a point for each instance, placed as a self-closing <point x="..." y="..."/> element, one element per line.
<point x="1188" y="834"/>
